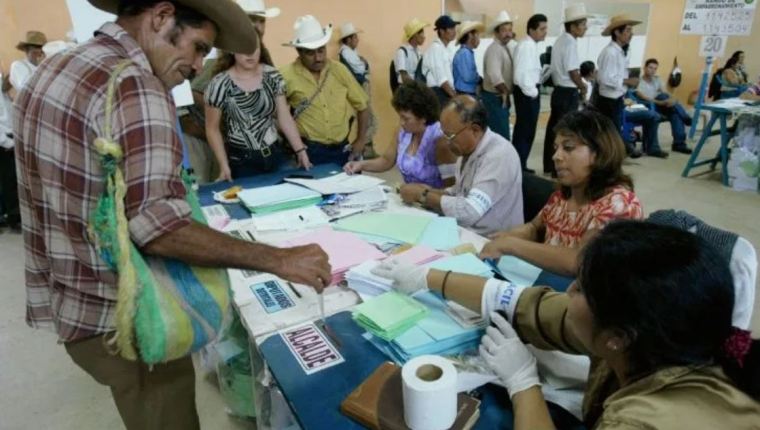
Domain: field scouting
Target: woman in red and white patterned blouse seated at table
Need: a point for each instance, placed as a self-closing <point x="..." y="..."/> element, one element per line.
<point x="593" y="190"/>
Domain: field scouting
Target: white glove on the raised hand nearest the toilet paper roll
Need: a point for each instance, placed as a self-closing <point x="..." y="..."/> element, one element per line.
<point x="508" y="357"/>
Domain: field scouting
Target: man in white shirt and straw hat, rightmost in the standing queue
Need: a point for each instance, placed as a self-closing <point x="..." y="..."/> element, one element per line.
<point x="612" y="77"/>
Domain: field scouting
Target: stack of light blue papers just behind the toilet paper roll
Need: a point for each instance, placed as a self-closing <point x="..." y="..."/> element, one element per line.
<point x="437" y="334"/>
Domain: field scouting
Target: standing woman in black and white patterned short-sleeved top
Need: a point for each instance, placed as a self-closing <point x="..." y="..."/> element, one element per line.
<point x="245" y="104"/>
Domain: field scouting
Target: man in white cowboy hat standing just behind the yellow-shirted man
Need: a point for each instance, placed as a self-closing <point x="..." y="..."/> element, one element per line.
<point x="359" y="67"/>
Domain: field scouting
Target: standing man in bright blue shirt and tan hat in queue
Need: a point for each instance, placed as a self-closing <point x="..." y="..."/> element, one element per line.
<point x="466" y="77"/>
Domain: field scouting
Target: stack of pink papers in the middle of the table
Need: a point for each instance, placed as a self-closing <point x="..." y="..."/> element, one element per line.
<point x="344" y="250"/>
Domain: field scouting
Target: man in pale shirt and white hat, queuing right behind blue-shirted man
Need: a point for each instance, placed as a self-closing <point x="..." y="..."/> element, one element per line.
<point x="498" y="66"/>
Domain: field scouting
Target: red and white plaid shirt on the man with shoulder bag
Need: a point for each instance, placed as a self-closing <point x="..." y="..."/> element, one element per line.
<point x="58" y="115"/>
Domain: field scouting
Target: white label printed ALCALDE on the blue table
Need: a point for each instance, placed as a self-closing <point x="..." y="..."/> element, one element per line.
<point x="311" y="348"/>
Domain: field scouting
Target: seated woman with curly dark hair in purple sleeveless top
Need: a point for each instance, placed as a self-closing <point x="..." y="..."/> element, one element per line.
<point x="419" y="148"/>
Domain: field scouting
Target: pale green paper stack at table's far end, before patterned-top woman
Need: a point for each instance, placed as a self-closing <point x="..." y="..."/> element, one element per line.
<point x="278" y="198"/>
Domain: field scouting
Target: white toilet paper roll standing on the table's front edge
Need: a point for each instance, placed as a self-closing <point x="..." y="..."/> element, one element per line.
<point x="429" y="393"/>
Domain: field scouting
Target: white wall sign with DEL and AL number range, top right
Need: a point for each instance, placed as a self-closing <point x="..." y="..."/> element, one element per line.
<point x="719" y="17"/>
